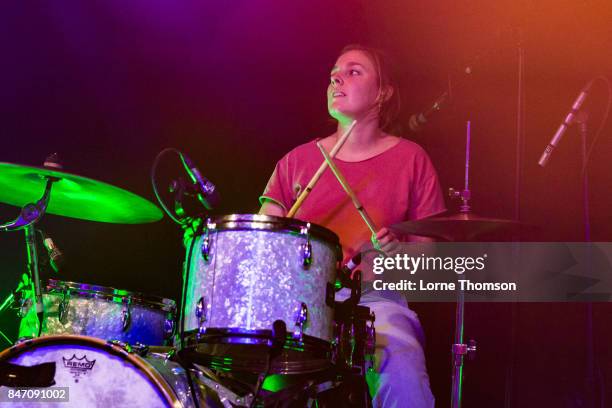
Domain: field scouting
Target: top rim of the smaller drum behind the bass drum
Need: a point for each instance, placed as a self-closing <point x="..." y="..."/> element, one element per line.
<point x="111" y="294"/>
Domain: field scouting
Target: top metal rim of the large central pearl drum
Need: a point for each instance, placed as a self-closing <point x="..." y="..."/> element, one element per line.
<point x="272" y="223"/>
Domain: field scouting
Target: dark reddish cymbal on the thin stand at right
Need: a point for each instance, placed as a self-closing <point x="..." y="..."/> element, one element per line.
<point x="457" y="227"/>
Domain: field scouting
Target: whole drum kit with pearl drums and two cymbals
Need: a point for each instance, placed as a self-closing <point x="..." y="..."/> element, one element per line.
<point x="258" y="323"/>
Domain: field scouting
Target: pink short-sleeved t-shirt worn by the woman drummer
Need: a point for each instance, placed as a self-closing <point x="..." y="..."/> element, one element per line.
<point x="396" y="185"/>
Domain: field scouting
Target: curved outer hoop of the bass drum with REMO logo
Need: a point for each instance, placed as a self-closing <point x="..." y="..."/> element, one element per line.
<point x="113" y="349"/>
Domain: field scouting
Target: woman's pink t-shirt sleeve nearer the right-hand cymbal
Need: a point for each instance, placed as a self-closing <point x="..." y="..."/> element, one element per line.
<point x="426" y="197"/>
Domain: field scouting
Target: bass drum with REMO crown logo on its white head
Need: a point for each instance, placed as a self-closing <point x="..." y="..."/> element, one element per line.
<point x="101" y="374"/>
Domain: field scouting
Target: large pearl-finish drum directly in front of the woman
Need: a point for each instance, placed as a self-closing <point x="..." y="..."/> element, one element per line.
<point x="247" y="271"/>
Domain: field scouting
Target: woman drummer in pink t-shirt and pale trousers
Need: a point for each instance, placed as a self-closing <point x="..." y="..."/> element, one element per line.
<point x="394" y="180"/>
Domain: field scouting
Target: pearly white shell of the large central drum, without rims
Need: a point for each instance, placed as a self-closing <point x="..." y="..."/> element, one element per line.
<point x="255" y="275"/>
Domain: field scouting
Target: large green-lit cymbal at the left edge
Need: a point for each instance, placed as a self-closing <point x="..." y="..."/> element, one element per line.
<point x="74" y="196"/>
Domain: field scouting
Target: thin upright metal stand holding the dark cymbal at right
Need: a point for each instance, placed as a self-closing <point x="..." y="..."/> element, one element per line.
<point x="459" y="349"/>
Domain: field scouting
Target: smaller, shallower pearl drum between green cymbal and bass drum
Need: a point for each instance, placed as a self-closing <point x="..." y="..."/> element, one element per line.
<point x="99" y="311"/>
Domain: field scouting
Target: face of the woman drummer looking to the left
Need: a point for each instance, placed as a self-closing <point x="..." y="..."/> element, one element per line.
<point x="354" y="90"/>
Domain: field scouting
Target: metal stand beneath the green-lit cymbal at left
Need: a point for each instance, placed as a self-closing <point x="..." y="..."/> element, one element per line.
<point x="30" y="215"/>
